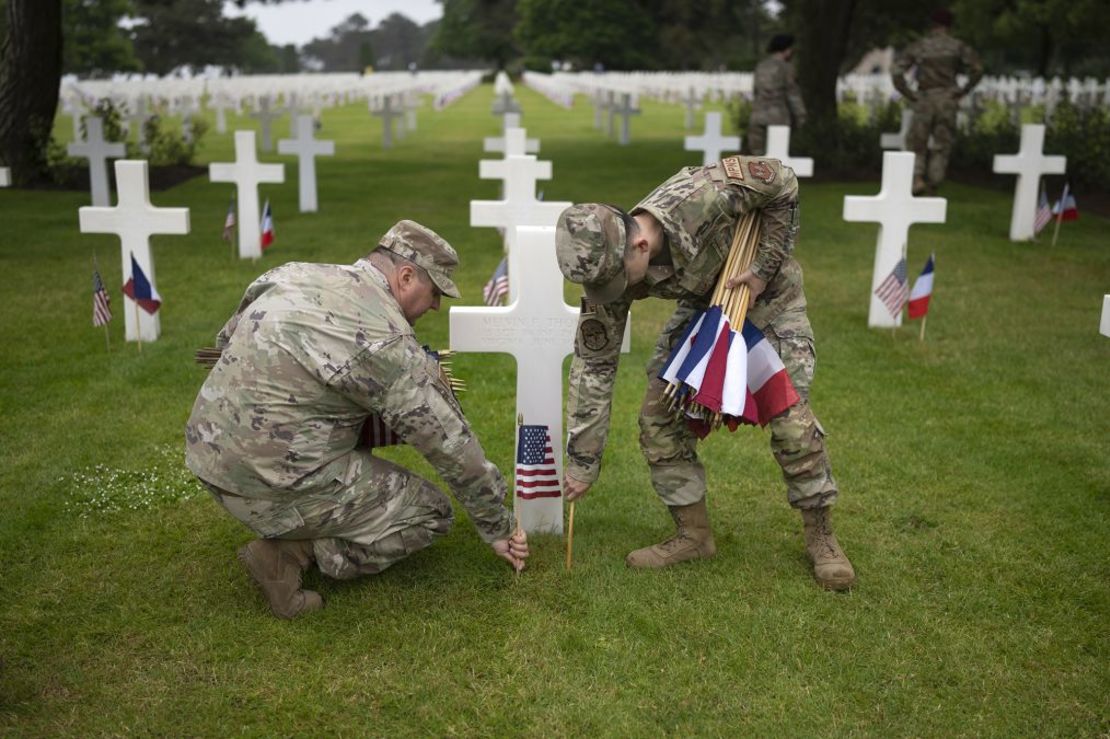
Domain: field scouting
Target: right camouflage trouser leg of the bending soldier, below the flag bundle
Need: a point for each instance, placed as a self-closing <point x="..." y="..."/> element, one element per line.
<point x="798" y="440"/>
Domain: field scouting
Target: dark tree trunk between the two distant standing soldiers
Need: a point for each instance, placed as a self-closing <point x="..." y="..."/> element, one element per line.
<point x="823" y="28"/>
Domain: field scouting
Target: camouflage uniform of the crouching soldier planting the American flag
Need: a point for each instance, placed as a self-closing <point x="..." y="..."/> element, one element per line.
<point x="311" y="353"/>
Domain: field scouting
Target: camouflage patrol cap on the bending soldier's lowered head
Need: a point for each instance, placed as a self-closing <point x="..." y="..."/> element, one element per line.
<point x="590" y="242"/>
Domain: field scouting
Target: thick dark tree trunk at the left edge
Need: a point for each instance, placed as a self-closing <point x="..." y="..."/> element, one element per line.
<point x="31" y="75"/>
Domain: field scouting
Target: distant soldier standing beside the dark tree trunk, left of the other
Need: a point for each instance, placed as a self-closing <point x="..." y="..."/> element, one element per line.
<point x="778" y="100"/>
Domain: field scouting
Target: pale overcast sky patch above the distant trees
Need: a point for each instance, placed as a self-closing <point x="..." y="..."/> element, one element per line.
<point x="299" y="22"/>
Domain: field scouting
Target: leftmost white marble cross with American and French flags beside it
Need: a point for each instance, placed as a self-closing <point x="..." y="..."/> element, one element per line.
<point x="135" y="221"/>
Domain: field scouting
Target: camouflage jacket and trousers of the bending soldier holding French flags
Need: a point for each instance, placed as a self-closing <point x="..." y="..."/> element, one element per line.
<point x="700" y="209"/>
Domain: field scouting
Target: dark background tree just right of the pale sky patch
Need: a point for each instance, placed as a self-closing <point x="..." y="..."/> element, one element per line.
<point x="478" y="29"/>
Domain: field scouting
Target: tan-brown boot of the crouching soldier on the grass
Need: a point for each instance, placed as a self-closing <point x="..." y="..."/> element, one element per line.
<point x="276" y="566"/>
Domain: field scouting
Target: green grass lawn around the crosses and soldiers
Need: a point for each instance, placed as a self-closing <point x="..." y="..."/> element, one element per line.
<point x="974" y="468"/>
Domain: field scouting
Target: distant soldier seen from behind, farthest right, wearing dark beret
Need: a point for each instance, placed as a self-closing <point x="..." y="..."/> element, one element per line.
<point x="939" y="58"/>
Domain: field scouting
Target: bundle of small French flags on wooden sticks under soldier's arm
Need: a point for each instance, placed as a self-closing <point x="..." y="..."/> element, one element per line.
<point x="724" y="371"/>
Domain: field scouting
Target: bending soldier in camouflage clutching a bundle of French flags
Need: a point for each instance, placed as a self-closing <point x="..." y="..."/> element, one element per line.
<point x="674" y="246"/>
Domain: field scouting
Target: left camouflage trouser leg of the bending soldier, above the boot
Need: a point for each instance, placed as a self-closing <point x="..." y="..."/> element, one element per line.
<point x="669" y="447"/>
